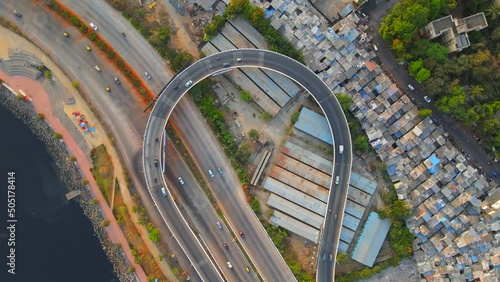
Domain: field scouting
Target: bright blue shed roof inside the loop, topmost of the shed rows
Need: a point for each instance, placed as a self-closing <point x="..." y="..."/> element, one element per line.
<point x="314" y="124"/>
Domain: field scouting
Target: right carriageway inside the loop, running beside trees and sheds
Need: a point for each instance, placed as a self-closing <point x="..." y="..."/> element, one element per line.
<point x="228" y="193"/>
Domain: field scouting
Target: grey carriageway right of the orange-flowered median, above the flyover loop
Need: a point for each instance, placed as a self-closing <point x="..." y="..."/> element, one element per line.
<point x="133" y="47"/>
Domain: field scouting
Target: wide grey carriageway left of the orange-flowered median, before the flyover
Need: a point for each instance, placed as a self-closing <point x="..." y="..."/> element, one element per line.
<point x="79" y="61"/>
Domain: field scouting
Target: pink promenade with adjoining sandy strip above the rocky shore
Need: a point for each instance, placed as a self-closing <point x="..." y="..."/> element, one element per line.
<point x="57" y="114"/>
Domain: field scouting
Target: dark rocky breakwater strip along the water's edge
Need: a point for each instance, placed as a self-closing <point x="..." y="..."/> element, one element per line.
<point x="69" y="172"/>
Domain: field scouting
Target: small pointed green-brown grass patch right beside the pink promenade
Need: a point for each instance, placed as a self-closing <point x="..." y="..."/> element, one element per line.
<point x="102" y="171"/>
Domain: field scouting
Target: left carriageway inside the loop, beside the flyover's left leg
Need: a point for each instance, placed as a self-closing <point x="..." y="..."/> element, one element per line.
<point x="203" y="216"/>
